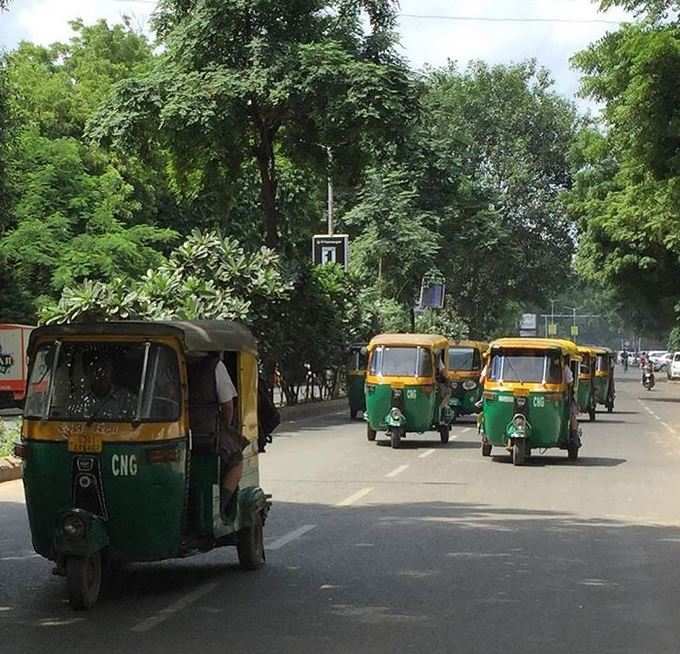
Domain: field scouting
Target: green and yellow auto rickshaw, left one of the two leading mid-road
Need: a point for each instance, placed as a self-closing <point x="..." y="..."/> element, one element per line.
<point x="407" y="386"/>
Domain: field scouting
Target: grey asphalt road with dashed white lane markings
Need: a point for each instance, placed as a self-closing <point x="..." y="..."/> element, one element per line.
<point x="427" y="549"/>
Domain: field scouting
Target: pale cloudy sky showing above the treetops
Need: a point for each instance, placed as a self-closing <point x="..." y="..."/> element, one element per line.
<point x="424" y="41"/>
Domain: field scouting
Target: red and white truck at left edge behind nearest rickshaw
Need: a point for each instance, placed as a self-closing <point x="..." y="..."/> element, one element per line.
<point x="13" y="365"/>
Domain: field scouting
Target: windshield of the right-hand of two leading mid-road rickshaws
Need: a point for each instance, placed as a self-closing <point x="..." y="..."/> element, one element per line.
<point x="525" y="365"/>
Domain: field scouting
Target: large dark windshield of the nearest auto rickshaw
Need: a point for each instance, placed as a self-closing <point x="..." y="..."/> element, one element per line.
<point x="104" y="382"/>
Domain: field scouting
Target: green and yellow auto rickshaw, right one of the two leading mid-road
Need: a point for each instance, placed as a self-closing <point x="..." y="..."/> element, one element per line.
<point x="529" y="397"/>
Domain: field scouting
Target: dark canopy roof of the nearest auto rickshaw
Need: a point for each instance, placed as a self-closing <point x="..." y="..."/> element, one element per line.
<point x="196" y="335"/>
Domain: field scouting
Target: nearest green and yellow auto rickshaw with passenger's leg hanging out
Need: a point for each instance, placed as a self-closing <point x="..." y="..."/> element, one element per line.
<point x="114" y="469"/>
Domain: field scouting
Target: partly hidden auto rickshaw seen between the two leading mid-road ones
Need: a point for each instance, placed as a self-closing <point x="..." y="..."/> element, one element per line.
<point x="466" y="359"/>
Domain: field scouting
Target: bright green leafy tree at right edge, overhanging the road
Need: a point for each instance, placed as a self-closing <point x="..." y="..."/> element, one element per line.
<point x="626" y="196"/>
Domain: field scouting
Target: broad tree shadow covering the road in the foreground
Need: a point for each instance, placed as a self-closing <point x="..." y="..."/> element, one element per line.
<point x="421" y="577"/>
